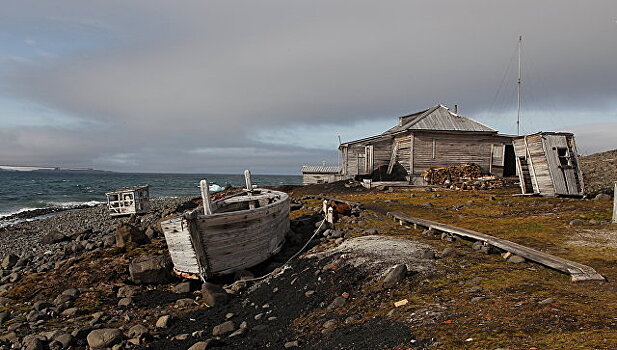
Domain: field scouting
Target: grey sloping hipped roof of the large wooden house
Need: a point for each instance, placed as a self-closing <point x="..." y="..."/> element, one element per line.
<point x="438" y="118"/>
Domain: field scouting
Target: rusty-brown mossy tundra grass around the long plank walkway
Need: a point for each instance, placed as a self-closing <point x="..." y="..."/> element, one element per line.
<point x="480" y="301"/>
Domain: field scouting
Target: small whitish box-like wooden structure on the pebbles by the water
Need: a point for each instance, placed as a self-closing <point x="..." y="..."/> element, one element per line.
<point x="128" y="200"/>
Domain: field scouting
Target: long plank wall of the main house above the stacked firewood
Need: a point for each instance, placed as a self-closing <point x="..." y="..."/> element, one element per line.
<point x="451" y="149"/>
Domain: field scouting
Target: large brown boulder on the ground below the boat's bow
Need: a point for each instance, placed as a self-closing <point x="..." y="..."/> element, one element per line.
<point x="150" y="269"/>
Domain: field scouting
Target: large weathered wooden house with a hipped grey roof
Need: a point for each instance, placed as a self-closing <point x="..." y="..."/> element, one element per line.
<point x="434" y="137"/>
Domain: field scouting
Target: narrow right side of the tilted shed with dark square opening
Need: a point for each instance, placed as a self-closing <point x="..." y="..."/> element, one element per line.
<point x="561" y="161"/>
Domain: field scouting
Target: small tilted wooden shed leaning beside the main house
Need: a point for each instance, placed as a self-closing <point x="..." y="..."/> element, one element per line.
<point x="548" y="164"/>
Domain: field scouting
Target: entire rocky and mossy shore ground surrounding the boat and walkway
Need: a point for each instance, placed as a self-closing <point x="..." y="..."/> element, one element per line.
<point x="82" y="279"/>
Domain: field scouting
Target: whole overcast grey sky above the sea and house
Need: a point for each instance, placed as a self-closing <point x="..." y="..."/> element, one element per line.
<point x="220" y="86"/>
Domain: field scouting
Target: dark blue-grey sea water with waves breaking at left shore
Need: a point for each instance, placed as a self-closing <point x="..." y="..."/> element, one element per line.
<point x="25" y="191"/>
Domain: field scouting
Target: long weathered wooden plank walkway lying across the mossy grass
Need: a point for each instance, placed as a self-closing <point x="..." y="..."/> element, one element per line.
<point x="578" y="272"/>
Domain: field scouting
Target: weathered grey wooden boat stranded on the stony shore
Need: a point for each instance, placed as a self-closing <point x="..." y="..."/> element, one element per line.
<point x="230" y="234"/>
